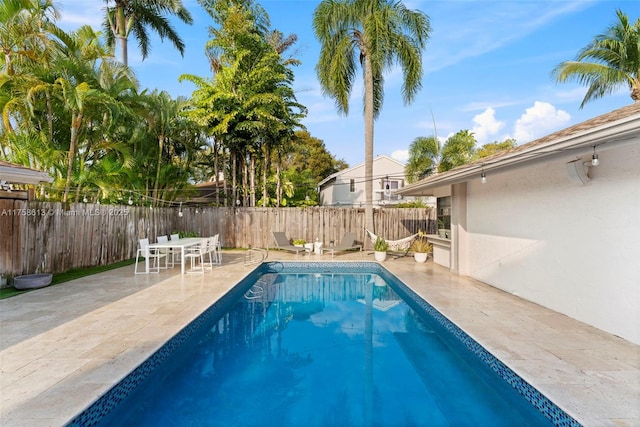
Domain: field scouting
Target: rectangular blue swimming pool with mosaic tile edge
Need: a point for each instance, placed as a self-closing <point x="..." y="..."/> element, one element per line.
<point x="322" y="344"/>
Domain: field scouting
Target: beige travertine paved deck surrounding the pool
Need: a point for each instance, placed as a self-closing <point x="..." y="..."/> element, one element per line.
<point x="63" y="346"/>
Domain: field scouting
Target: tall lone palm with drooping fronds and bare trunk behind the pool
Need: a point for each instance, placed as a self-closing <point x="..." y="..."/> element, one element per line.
<point x="378" y="34"/>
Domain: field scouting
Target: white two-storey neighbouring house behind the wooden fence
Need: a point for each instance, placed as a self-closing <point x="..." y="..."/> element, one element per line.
<point x="346" y="187"/>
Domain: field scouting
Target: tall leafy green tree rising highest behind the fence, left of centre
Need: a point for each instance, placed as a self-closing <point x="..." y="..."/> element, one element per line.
<point x="250" y="103"/>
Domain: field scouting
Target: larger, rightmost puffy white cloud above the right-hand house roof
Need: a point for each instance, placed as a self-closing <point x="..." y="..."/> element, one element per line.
<point x="539" y="120"/>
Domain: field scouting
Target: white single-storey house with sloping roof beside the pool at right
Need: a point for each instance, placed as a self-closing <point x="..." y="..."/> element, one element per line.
<point x="550" y="226"/>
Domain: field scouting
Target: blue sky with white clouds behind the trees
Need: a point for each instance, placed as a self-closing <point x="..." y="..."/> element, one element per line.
<point x="486" y="68"/>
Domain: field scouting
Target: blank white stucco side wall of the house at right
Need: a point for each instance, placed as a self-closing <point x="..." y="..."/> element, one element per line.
<point x="572" y="248"/>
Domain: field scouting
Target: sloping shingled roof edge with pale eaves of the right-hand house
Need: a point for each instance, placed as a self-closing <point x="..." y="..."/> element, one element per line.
<point x="614" y="127"/>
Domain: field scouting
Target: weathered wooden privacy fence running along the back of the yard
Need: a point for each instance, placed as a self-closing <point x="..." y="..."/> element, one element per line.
<point x="44" y="237"/>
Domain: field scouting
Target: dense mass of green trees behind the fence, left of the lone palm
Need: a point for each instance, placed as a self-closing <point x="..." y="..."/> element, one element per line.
<point x="81" y="116"/>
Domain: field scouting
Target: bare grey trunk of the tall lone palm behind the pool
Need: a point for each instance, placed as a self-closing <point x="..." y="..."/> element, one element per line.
<point x="368" y="147"/>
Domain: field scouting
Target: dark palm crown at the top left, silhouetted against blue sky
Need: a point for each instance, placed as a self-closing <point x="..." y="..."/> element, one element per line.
<point x="139" y="16"/>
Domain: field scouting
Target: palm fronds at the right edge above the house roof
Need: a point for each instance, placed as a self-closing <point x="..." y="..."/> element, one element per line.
<point x="611" y="60"/>
